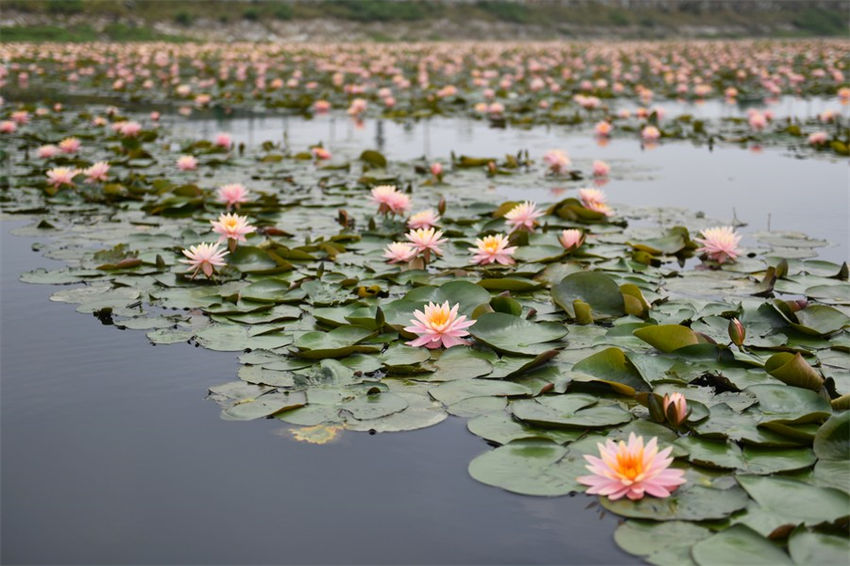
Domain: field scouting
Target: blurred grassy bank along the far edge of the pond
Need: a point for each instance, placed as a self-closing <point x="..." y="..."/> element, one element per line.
<point x="131" y="20"/>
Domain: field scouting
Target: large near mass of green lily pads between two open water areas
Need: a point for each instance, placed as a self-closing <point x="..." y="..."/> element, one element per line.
<point x="570" y="346"/>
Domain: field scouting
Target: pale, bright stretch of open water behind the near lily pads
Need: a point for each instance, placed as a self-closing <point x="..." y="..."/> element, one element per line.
<point x="767" y="188"/>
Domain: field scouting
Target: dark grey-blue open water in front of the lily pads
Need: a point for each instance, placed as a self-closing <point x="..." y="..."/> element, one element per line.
<point x="111" y="455"/>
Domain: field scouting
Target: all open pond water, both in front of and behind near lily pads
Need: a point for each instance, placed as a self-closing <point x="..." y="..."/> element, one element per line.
<point x="111" y="454"/>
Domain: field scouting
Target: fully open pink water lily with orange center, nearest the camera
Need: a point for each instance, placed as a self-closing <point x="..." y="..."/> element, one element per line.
<point x="632" y="470"/>
